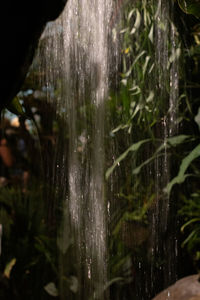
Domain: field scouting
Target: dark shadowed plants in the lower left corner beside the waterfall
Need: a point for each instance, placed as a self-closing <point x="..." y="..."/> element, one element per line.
<point x="28" y="251"/>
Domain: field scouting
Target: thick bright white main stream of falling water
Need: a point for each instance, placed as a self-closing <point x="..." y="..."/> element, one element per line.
<point x="81" y="38"/>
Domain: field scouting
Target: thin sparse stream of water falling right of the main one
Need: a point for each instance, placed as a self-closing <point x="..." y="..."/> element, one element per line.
<point x="166" y="54"/>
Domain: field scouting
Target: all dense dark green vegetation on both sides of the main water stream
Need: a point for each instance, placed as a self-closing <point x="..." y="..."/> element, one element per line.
<point x="154" y="170"/>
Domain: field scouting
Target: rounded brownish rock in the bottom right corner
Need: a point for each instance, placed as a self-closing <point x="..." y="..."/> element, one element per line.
<point x="187" y="288"/>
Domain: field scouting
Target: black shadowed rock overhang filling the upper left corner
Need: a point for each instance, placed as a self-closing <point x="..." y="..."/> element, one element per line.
<point x="21" y="24"/>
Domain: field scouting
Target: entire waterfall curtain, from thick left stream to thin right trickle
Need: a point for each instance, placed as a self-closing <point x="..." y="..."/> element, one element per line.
<point x="82" y="57"/>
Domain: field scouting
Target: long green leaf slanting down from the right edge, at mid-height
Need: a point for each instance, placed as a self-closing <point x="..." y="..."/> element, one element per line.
<point x="180" y="178"/>
